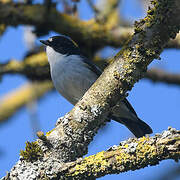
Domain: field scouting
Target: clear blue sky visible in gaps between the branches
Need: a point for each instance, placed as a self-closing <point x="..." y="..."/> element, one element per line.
<point x="155" y="103"/>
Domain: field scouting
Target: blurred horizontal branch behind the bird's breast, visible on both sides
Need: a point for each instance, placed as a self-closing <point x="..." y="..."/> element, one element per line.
<point x="36" y="67"/>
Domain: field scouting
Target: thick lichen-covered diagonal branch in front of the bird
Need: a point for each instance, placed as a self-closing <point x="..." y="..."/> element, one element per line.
<point x="69" y="140"/>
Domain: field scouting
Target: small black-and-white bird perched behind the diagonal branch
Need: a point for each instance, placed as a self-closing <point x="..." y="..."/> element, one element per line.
<point x="73" y="74"/>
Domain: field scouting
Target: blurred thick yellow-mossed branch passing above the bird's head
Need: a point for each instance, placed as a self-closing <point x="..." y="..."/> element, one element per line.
<point x="85" y="33"/>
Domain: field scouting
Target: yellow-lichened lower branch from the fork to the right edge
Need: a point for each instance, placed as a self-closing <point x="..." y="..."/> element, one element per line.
<point x="132" y="154"/>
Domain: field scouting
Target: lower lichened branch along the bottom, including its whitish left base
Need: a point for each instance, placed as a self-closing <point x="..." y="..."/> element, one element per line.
<point x="132" y="154"/>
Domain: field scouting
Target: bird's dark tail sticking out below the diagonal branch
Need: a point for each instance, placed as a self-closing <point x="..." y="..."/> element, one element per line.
<point x="139" y="128"/>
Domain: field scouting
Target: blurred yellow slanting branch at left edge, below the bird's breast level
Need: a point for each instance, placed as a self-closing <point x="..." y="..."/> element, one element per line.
<point x="15" y="100"/>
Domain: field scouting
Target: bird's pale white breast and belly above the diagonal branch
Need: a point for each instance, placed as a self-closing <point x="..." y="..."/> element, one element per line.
<point x="70" y="75"/>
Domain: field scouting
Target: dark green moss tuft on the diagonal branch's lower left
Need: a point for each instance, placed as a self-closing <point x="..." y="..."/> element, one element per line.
<point x="32" y="151"/>
